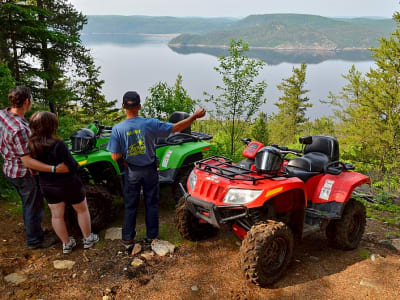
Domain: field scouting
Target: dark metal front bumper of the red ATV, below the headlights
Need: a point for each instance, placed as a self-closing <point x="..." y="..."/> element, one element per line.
<point x="213" y="214"/>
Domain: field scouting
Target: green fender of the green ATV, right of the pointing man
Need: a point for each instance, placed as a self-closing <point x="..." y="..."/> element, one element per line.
<point x="172" y="157"/>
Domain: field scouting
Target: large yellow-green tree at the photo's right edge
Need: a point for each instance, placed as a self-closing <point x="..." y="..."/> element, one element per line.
<point x="370" y="108"/>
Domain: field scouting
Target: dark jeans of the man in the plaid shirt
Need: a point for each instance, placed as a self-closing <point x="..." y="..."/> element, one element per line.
<point x="32" y="206"/>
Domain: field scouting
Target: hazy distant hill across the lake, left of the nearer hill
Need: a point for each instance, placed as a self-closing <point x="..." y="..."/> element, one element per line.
<point x="153" y="25"/>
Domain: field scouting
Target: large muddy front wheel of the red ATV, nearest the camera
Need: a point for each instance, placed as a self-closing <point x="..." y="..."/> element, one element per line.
<point x="266" y="252"/>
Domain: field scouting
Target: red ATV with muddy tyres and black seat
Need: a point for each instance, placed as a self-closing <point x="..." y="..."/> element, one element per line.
<point x="271" y="201"/>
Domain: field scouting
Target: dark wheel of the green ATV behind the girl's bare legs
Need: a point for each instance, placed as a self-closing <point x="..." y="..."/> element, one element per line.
<point x="101" y="209"/>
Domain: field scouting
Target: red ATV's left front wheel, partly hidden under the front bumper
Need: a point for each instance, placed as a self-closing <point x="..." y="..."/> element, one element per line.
<point x="189" y="226"/>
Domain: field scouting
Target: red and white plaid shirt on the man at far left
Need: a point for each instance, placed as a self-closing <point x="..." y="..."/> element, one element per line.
<point x="14" y="137"/>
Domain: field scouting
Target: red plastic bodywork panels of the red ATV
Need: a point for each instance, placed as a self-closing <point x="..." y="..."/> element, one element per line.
<point x="321" y="188"/>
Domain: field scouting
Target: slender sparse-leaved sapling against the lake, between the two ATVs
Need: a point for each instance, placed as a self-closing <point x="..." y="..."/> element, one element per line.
<point x="240" y="97"/>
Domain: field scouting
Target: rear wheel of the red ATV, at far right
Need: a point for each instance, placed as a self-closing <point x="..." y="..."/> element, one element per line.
<point x="346" y="233"/>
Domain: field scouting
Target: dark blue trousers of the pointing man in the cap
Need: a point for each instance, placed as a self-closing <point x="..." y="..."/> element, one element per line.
<point x="135" y="179"/>
